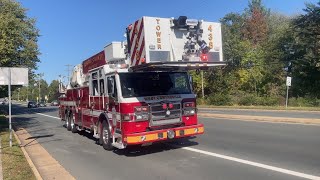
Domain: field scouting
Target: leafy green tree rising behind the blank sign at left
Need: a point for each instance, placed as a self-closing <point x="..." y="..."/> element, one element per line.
<point x="18" y="38"/>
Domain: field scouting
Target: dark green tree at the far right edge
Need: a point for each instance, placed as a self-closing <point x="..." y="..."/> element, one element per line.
<point x="306" y="59"/>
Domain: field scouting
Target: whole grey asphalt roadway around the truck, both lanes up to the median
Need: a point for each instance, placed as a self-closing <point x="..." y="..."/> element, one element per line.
<point x="230" y="150"/>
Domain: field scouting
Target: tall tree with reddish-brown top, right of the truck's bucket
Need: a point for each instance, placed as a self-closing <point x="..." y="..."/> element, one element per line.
<point x="243" y="38"/>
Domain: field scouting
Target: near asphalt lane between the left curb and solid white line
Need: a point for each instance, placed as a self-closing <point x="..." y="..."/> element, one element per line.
<point x="84" y="159"/>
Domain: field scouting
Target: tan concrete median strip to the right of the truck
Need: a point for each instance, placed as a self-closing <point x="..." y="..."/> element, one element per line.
<point x="262" y="118"/>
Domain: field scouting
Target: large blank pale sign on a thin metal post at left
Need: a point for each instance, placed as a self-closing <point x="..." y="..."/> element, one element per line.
<point x="20" y="77"/>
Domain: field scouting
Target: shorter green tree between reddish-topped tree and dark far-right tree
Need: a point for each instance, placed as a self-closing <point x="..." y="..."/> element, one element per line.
<point x="276" y="56"/>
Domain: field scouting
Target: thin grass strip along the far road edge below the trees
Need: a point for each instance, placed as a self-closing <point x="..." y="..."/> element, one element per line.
<point x="263" y="107"/>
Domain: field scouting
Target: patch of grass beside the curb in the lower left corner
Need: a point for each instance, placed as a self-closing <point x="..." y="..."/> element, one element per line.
<point x="14" y="163"/>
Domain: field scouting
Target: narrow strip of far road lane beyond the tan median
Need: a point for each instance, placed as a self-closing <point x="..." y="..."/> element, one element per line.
<point x="290" y="114"/>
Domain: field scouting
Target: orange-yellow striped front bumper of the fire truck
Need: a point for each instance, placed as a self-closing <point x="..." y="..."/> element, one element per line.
<point x="162" y="135"/>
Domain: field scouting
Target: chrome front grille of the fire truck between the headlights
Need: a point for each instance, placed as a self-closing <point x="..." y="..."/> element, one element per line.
<point x="159" y="115"/>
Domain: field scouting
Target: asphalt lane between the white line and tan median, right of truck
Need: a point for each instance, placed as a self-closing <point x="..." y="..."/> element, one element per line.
<point x="290" y="146"/>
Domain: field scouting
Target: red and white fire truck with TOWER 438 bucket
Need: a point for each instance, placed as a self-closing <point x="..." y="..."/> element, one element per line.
<point x="139" y="91"/>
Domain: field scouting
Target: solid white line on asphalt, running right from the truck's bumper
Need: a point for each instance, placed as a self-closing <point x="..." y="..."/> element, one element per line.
<point x="251" y="163"/>
